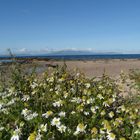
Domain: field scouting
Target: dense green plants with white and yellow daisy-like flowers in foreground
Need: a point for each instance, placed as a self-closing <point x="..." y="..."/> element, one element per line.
<point x="62" y="105"/>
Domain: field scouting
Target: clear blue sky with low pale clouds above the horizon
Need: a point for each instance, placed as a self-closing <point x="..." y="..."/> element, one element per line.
<point x="45" y="25"/>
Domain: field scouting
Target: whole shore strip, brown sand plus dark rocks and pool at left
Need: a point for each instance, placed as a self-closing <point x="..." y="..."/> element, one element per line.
<point x="91" y="68"/>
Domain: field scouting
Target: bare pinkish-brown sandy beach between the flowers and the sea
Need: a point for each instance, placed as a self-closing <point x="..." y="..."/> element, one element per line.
<point x="111" y="67"/>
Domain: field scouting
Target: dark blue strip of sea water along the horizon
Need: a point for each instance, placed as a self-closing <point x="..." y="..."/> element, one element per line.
<point x="76" y="57"/>
